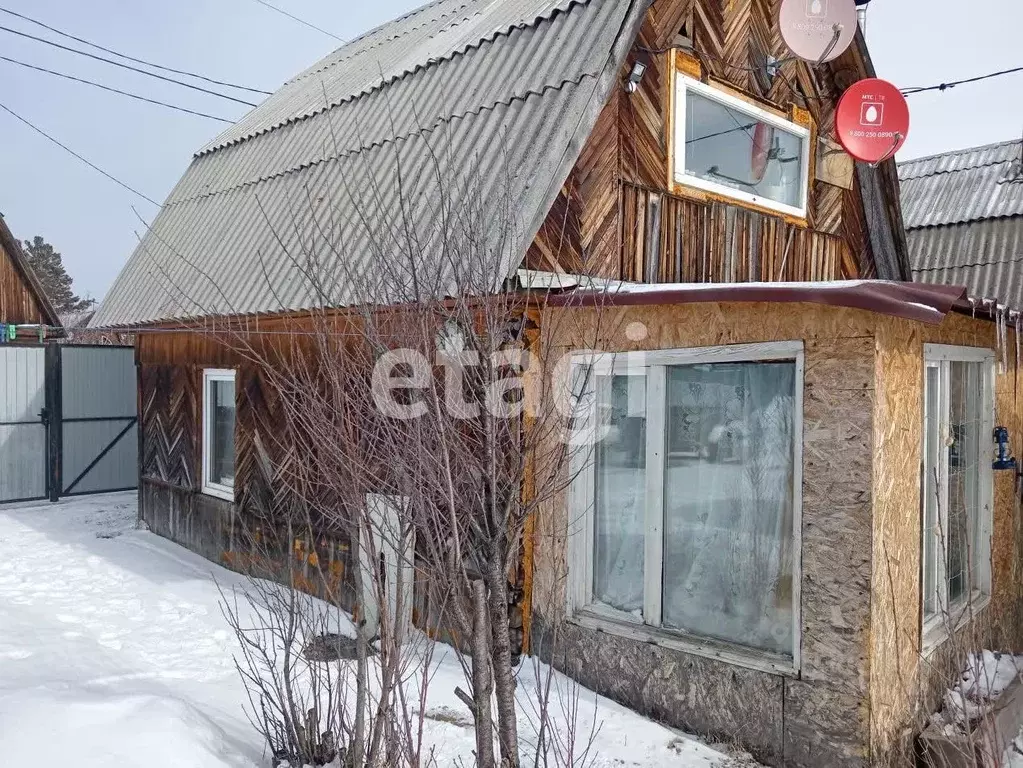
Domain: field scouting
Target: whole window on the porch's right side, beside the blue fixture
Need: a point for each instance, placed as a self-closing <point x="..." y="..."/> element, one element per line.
<point x="956" y="487"/>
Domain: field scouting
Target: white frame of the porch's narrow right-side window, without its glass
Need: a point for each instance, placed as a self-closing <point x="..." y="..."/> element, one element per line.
<point x="935" y="629"/>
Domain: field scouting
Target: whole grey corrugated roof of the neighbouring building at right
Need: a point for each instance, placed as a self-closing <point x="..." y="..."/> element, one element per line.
<point x="964" y="218"/>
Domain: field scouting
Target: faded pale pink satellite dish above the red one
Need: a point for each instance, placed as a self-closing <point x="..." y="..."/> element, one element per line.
<point x="810" y="28"/>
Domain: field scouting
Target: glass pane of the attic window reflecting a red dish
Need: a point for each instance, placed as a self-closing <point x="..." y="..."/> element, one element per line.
<point x="733" y="149"/>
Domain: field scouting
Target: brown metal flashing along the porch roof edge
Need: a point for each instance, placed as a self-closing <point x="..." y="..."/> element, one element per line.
<point x="919" y="302"/>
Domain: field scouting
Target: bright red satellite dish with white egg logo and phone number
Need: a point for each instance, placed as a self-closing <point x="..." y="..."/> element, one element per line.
<point x="873" y="120"/>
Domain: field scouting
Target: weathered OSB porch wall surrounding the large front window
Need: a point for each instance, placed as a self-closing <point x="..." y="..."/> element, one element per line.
<point x="822" y="718"/>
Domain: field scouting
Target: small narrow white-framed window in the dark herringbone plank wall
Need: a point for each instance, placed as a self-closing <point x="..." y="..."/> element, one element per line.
<point x="218" y="434"/>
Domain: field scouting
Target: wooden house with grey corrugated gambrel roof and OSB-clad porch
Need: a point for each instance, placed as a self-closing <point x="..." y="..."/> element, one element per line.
<point x="759" y="558"/>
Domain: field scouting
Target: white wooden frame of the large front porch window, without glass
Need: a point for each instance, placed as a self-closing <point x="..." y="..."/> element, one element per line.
<point x="582" y="609"/>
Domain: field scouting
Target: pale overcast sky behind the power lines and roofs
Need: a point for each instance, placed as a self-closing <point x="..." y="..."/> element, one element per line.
<point x="88" y="218"/>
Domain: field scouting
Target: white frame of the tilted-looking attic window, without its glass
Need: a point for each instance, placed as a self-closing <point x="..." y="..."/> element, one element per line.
<point x="684" y="85"/>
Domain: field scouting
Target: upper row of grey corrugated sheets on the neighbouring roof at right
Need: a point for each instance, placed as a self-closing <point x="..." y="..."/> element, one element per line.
<point x="962" y="187"/>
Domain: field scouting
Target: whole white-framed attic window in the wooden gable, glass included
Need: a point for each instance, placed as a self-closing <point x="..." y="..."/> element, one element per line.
<point x="729" y="147"/>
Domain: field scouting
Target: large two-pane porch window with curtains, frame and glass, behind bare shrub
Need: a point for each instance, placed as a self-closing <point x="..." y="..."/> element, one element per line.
<point x="686" y="512"/>
